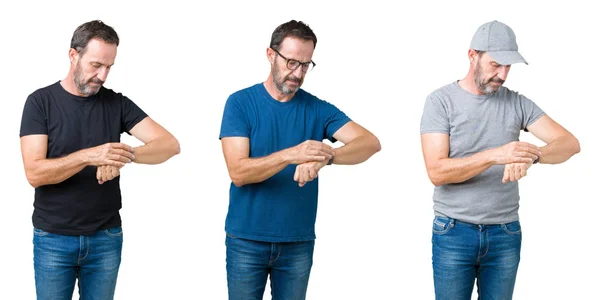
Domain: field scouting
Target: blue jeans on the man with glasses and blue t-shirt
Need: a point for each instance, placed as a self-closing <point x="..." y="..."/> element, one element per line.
<point x="249" y="263"/>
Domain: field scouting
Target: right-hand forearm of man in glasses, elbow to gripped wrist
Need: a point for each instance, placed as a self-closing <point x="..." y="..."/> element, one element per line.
<point x="357" y="151"/>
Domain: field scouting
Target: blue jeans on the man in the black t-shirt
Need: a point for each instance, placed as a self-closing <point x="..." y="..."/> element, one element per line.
<point x="60" y="259"/>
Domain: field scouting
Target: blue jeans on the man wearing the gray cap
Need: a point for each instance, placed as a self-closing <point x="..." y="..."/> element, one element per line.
<point x="463" y="252"/>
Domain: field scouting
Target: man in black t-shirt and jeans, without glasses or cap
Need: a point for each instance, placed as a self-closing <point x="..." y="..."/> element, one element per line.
<point x="70" y="143"/>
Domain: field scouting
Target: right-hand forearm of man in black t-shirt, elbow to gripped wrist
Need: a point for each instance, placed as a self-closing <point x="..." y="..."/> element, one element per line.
<point x="156" y="151"/>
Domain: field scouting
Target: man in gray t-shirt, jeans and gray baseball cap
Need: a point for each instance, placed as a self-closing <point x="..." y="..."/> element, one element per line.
<point x="470" y="139"/>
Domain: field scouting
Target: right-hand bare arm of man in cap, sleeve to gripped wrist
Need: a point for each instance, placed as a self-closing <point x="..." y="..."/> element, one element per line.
<point x="560" y="143"/>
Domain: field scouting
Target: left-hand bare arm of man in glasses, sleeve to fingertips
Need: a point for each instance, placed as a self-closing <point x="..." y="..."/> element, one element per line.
<point x="245" y="170"/>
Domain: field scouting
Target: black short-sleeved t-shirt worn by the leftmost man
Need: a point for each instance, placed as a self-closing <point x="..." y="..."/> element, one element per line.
<point x="78" y="205"/>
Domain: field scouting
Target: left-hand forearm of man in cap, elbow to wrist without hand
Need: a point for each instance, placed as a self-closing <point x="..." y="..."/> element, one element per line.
<point x="456" y="170"/>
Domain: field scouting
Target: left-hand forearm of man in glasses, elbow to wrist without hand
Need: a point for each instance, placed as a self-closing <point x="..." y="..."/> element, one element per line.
<point x="254" y="170"/>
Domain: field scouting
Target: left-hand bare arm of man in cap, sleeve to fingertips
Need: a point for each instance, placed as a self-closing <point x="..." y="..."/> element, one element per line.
<point x="444" y="170"/>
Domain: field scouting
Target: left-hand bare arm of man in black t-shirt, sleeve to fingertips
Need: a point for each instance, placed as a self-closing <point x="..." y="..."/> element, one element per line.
<point x="43" y="171"/>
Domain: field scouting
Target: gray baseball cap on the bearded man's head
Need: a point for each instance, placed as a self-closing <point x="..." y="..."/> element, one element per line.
<point x="499" y="41"/>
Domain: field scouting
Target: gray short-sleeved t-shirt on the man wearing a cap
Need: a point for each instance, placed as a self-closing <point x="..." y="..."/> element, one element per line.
<point x="476" y="123"/>
